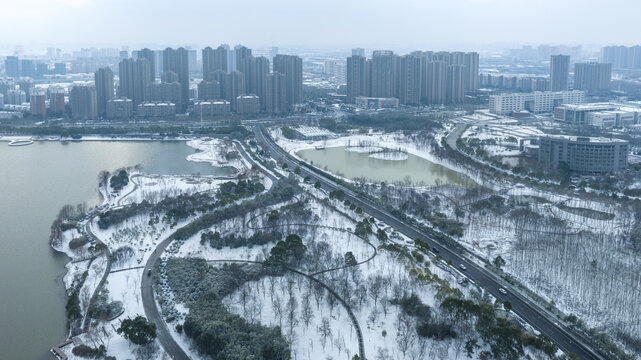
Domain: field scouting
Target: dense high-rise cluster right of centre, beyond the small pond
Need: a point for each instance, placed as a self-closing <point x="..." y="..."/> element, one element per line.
<point x="414" y="79"/>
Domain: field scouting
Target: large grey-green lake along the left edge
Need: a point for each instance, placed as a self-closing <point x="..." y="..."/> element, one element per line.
<point x="35" y="182"/>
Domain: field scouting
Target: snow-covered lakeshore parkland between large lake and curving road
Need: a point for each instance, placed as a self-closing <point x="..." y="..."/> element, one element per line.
<point x="133" y="241"/>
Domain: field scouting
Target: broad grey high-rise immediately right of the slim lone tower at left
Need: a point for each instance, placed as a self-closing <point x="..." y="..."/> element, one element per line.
<point x="135" y="76"/>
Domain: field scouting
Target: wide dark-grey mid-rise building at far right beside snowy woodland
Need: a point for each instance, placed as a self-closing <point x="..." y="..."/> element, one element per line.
<point x="583" y="154"/>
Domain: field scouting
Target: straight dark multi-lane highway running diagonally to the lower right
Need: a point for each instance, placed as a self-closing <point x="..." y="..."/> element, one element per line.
<point x="565" y="338"/>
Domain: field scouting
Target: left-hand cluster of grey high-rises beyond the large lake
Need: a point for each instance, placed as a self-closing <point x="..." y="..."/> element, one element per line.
<point x="159" y="80"/>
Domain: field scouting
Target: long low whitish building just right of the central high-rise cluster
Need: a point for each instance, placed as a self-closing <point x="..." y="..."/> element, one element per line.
<point x="535" y="102"/>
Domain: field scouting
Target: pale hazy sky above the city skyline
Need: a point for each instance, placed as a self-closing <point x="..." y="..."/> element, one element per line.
<point x="393" y="24"/>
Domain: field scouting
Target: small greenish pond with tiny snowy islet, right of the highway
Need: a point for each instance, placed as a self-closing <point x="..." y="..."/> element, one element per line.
<point x="414" y="170"/>
